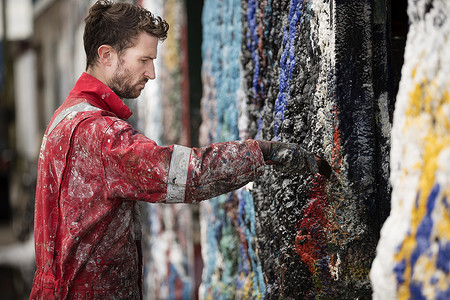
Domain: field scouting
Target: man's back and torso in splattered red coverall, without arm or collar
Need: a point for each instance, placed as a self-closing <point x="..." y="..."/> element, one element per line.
<point x="85" y="240"/>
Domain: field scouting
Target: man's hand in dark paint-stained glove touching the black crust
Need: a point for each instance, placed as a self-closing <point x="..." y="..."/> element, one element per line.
<point x="291" y="158"/>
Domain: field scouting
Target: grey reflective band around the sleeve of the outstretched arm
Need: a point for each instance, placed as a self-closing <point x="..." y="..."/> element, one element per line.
<point x="179" y="164"/>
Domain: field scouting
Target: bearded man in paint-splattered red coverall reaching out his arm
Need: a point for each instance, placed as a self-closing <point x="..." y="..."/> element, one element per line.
<point x="93" y="166"/>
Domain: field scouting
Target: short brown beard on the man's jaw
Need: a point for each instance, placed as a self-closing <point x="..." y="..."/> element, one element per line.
<point x="123" y="84"/>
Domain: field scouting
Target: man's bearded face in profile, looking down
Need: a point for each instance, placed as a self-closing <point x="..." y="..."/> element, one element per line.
<point x="135" y="67"/>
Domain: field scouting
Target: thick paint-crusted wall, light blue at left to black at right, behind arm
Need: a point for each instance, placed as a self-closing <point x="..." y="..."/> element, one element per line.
<point x="313" y="73"/>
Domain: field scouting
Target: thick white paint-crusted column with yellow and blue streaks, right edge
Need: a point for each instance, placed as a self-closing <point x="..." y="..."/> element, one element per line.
<point x="413" y="255"/>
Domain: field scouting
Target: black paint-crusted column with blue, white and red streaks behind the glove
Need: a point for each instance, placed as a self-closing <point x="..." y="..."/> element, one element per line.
<point x="313" y="235"/>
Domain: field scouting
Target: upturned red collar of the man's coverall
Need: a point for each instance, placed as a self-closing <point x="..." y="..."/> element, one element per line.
<point x="99" y="95"/>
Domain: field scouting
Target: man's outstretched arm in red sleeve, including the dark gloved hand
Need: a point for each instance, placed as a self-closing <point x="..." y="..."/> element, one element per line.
<point x="138" y="169"/>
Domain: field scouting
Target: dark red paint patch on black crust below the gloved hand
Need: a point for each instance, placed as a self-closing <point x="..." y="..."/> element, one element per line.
<point x="311" y="242"/>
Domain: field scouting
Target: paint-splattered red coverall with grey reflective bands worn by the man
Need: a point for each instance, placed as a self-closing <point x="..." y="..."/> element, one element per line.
<point x="92" y="167"/>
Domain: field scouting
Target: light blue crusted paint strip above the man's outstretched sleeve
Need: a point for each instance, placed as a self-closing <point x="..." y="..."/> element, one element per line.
<point x="221" y="48"/>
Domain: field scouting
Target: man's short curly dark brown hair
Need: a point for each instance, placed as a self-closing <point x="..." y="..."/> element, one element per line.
<point x="118" y="25"/>
